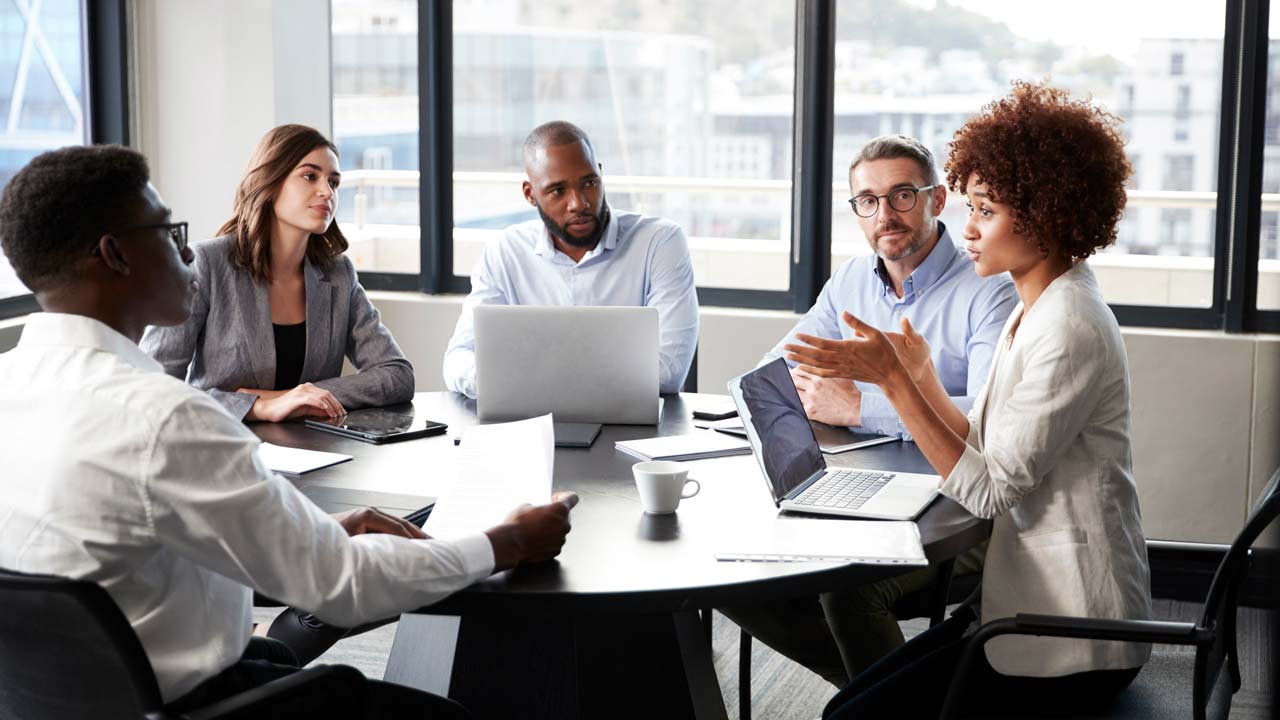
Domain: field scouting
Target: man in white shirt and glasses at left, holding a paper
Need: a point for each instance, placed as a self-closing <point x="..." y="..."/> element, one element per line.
<point x="126" y="477"/>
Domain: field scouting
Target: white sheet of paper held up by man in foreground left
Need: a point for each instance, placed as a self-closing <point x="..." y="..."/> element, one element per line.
<point x="500" y="468"/>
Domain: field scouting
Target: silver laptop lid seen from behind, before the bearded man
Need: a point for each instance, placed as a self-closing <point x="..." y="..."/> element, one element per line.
<point x="580" y="364"/>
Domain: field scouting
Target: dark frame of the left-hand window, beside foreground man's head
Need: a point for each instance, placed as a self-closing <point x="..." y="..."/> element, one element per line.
<point x="107" y="86"/>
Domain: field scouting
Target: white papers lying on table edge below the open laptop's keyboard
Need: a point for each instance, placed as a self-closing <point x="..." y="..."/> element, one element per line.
<point x="803" y="540"/>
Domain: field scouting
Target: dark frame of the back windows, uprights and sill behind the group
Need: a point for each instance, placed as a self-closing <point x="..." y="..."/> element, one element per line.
<point x="1240" y="172"/>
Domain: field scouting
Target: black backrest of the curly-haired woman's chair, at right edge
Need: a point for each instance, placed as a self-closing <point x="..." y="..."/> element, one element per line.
<point x="1220" y="605"/>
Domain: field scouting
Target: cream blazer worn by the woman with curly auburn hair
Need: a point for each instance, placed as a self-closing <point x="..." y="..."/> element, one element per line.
<point x="1050" y="459"/>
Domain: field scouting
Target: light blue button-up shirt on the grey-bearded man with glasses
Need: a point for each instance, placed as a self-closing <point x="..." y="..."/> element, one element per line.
<point x="958" y="312"/>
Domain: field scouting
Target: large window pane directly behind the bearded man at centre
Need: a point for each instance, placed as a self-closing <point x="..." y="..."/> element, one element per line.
<point x="689" y="106"/>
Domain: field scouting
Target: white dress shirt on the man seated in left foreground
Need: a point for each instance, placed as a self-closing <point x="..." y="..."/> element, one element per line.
<point x="124" y="476"/>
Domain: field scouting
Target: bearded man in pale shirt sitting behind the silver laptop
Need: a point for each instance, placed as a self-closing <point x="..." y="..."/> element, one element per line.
<point x="582" y="253"/>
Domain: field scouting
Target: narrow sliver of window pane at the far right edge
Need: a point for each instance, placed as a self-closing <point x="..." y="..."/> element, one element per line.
<point x="1269" y="250"/>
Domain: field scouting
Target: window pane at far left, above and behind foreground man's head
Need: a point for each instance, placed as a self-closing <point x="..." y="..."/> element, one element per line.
<point x="42" y="92"/>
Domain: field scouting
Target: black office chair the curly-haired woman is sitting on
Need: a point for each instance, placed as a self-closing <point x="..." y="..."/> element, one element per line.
<point x="1214" y="636"/>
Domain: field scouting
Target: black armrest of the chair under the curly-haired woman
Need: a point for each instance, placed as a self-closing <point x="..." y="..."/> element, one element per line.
<point x="1067" y="627"/>
